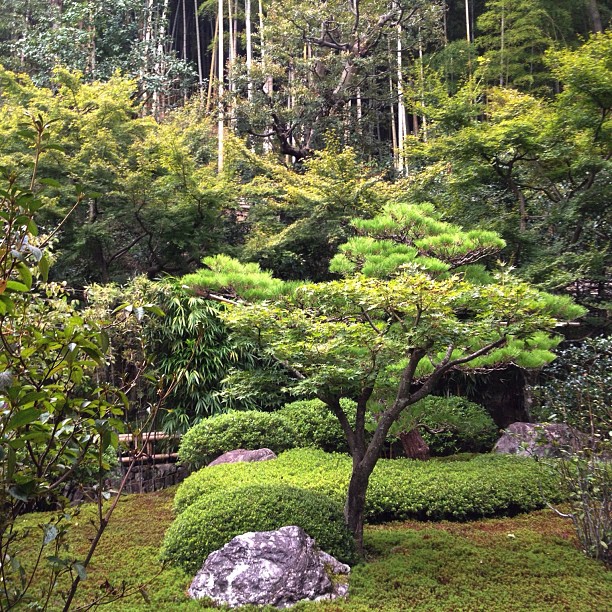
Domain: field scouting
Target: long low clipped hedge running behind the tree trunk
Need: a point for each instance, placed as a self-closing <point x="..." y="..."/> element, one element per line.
<point x="487" y="485"/>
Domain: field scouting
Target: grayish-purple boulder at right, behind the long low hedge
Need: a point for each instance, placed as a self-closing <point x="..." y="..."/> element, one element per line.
<point x="540" y="439"/>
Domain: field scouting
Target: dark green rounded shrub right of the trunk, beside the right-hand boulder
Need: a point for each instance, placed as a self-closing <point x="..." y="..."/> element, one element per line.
<point x="465" y="426"/>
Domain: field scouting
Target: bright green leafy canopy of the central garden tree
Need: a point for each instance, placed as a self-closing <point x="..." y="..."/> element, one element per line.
<point x="340" y="337"/>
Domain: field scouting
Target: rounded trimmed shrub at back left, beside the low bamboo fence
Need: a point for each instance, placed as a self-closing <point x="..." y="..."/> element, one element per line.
<point x="219" y="434"/>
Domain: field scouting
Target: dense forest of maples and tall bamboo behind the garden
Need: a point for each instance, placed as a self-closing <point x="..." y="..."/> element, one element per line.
<point x="168" y="131"/>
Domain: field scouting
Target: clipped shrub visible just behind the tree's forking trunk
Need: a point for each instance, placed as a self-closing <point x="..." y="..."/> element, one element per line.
<point x="313" y="424"/>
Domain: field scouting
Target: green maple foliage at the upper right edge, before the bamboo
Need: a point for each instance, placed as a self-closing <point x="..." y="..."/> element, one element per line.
<point x="535" y="170"/>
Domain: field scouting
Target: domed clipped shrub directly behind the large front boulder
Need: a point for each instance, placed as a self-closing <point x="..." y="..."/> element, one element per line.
<point x="220" y="515"/>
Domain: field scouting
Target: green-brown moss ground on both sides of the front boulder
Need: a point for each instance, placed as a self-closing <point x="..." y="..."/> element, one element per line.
<point x="528" y="562"/>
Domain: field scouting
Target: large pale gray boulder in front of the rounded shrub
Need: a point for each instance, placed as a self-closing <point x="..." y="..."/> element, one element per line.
<point x="278" y="567"/>
